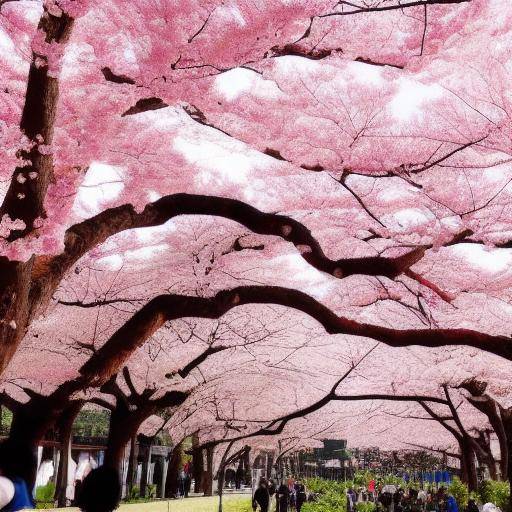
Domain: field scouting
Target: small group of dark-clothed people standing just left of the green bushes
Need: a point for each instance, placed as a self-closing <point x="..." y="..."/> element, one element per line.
<point x="289" y="496"/>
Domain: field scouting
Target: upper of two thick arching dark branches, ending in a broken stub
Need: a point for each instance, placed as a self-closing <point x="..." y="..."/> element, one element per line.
<point x="82" y="237"/>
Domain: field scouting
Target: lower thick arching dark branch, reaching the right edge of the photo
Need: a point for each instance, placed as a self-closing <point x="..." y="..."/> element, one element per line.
<point x="116" y="351"/>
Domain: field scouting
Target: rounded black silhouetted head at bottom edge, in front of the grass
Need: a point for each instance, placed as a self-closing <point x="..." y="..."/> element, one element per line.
<point x="100" y="491"/>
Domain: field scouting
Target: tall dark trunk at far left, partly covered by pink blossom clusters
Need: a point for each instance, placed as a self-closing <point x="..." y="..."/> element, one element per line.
<point x="19" y="297"/>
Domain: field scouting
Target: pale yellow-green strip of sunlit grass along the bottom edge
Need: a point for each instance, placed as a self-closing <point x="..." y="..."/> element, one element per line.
<point x="231" y="504"/>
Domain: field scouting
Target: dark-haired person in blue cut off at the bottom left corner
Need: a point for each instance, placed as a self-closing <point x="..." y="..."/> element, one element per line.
<point x="16" y="465"/>
